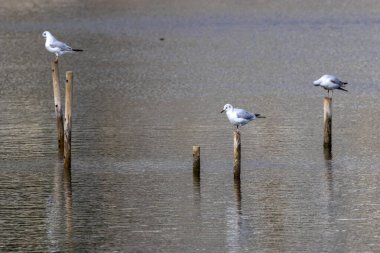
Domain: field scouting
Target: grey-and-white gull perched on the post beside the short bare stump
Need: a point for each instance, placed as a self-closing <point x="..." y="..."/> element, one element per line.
<point x="239" y="117"/>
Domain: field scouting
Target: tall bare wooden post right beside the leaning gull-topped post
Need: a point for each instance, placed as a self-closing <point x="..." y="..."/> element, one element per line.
<point x="69" y="97"/>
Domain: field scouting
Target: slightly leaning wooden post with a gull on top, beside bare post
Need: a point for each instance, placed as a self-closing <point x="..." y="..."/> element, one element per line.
<point x="57" y="103"/>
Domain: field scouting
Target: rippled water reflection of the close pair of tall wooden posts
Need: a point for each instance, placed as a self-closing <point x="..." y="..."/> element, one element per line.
<point x="60" y="212"/>
